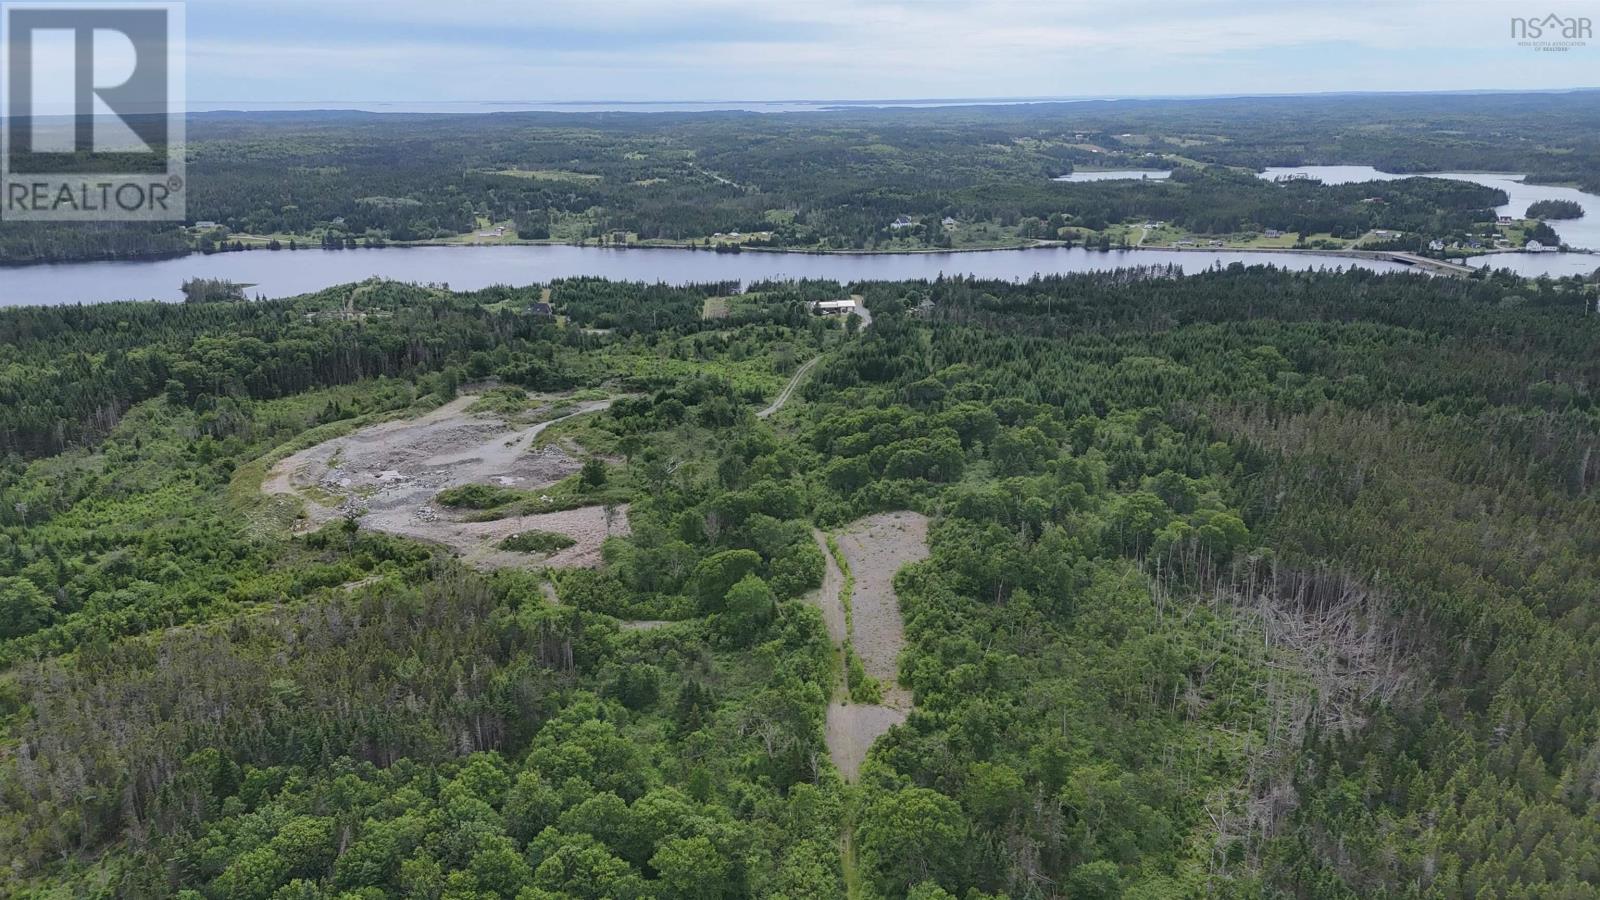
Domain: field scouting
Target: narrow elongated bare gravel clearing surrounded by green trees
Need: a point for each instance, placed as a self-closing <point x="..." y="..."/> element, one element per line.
<point x="876" y="548"/>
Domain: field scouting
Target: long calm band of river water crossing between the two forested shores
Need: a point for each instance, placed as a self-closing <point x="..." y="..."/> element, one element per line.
<point x="470" y="268"/>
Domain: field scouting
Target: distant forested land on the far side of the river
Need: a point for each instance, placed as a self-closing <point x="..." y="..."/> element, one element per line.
<point x="839" y="180"/>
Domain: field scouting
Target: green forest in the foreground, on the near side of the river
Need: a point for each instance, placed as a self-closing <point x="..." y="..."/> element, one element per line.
<point x="1244" y="584"/>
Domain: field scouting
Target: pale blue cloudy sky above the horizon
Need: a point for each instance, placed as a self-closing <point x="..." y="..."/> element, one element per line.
<point x="374" y="52"/>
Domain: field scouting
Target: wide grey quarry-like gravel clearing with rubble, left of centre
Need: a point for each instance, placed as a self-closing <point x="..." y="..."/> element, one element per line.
<point x="391" y="473"/>
